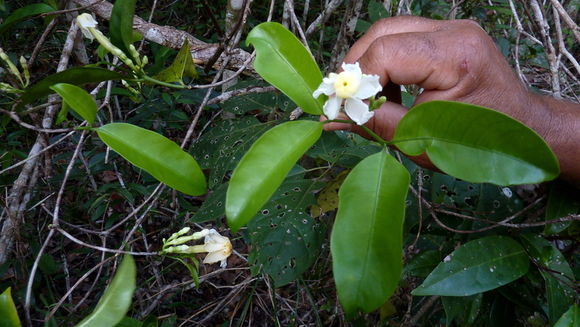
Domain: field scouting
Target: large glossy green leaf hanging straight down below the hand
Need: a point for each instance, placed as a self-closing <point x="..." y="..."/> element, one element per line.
<point x="366" y="241"/>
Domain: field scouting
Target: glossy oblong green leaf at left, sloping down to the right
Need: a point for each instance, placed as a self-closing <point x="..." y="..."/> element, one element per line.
<point x="155" y="154"/>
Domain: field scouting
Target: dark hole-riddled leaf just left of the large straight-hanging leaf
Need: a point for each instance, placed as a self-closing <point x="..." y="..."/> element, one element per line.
<point x="285" y="239"/>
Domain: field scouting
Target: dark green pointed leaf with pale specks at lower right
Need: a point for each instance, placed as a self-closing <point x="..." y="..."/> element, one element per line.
<point x="477" y="266"/>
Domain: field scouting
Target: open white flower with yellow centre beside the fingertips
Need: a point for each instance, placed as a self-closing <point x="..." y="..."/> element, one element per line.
<point x="349" y="87"/>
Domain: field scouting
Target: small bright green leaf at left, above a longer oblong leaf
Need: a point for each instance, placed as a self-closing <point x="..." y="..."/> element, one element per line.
<point x="78" y="99"/>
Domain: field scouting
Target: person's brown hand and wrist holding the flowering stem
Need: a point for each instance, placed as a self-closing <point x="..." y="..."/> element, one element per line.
<point x="457" y="61"/>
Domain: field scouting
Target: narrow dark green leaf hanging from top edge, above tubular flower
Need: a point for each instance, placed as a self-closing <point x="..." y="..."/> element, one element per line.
<point x="121" y="24"/>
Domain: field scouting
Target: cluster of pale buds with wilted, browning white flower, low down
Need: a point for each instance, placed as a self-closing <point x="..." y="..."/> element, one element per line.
<point x="217" y="247"/>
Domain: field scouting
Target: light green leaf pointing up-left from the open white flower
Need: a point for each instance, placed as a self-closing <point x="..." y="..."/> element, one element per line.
<point x="285" y="63"/>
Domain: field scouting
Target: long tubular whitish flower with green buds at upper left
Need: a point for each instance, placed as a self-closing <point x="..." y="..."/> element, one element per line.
<point x="88" y="26"/>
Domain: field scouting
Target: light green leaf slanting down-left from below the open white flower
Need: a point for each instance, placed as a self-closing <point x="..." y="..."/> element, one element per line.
<point x="264" y="167"/>
